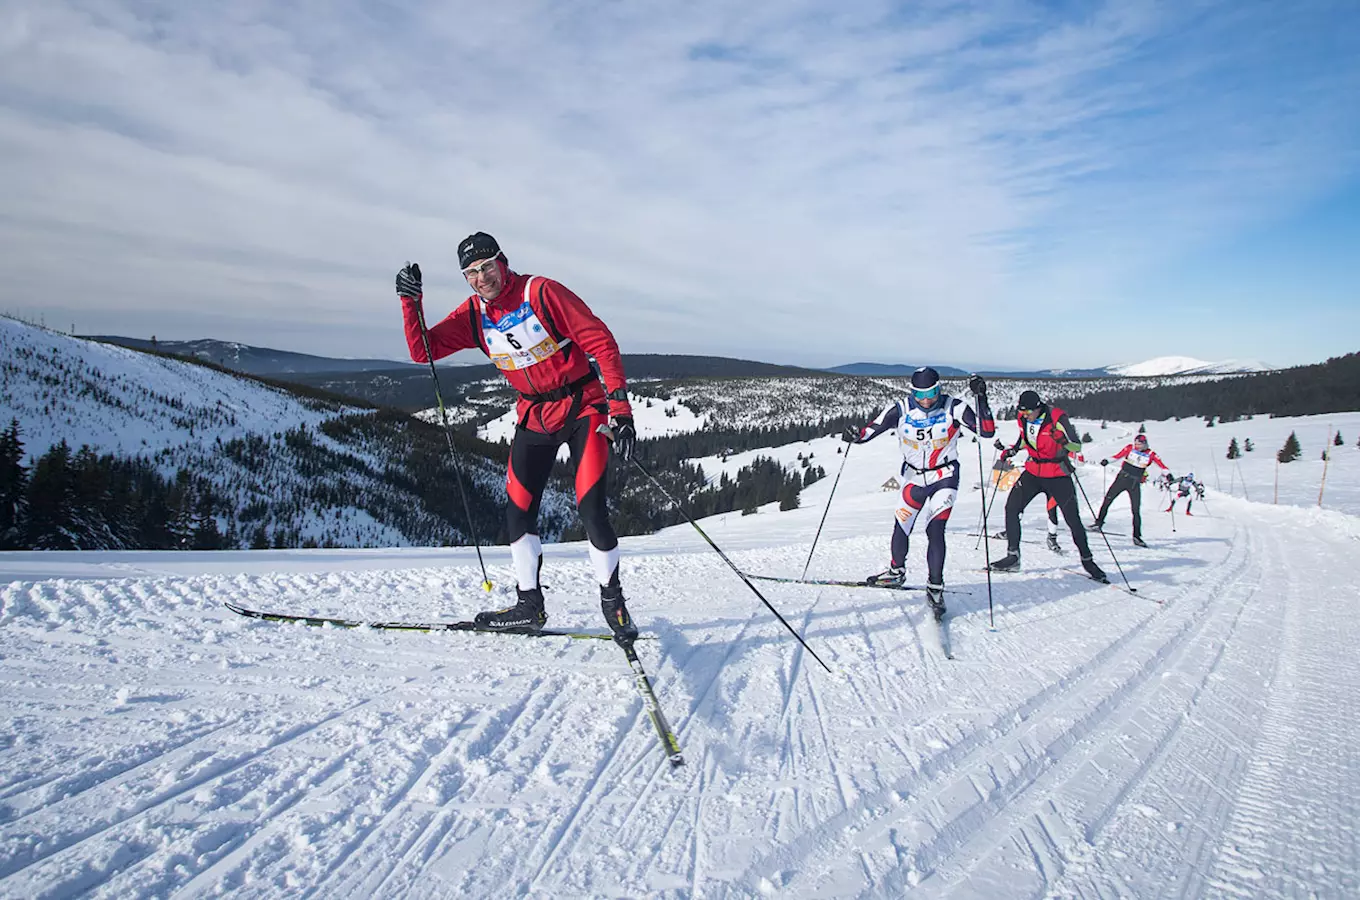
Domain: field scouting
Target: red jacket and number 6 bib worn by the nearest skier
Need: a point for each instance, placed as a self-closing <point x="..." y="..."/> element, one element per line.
<point x="538" y="334"/>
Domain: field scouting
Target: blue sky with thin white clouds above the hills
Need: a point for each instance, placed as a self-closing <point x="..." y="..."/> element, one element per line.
<point x="1003" y="184"/>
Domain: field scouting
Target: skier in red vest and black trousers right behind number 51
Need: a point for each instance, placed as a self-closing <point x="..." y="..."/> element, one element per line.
<point x="1048" y="436"/>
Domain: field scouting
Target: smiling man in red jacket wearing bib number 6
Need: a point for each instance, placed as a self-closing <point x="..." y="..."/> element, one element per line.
<point x="539" y="335"/>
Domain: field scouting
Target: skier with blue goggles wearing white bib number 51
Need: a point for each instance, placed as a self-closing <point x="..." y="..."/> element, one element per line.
<point x="928" y="425"/>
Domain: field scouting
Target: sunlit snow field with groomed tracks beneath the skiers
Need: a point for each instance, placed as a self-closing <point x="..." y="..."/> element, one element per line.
<point x="1093" y="744"/>
